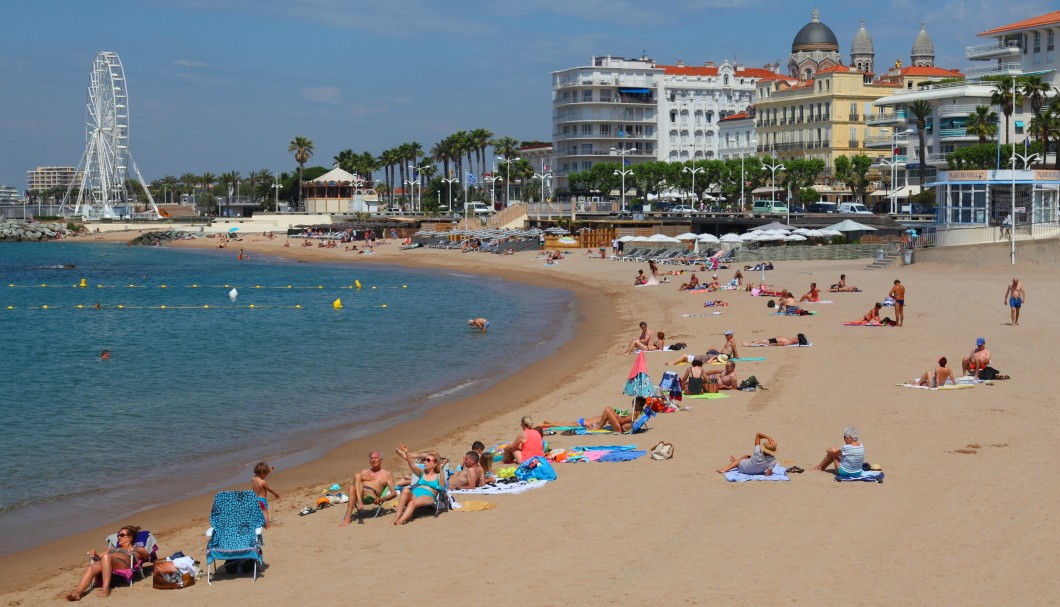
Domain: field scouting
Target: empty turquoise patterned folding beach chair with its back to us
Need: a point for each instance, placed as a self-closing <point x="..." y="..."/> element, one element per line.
<point x="236" y="532"/>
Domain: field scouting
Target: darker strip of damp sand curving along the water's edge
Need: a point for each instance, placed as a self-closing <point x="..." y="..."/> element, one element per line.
<point x="437" y="424"/>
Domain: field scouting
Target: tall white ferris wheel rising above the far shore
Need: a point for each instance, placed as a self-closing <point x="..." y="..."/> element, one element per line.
<point x="102" y="191"/>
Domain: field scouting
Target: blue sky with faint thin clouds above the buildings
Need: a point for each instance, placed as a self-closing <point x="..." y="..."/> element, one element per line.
<point x="226" y="85"/>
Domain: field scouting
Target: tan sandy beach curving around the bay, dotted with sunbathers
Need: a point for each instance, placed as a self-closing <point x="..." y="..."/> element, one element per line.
<point x="957" y="523"/>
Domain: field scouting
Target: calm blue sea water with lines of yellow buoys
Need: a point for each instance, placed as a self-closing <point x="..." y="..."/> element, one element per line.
<point x="203" y="383"/>
